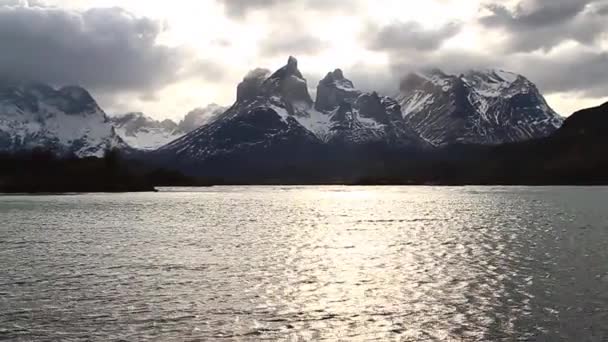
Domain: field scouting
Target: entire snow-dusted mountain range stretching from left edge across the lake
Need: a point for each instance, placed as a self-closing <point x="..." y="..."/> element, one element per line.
<point x="276" y="130"/>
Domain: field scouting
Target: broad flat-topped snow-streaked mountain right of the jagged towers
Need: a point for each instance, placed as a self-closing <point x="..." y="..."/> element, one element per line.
<point x="479" y="107"/>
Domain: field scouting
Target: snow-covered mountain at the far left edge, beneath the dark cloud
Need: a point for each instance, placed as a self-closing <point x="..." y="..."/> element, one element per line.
<point x="67" y="121"/>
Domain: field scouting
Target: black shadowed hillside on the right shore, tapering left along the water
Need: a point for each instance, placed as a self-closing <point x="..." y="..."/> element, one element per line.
<point x="572" y="155"/>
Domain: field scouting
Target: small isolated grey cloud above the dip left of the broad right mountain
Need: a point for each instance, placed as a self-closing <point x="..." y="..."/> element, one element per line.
<point x="407" y="36"/>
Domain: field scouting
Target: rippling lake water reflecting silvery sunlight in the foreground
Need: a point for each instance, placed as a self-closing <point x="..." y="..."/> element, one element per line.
<point x="307" y="263"/>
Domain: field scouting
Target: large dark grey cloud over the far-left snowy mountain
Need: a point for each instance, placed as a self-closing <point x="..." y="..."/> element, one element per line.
<point x="109" y="50"/>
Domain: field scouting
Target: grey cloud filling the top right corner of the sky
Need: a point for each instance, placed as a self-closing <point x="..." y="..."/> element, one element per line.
<point x="544" y="24"/>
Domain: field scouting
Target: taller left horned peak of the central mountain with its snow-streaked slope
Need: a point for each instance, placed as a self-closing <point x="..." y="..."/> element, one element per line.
<point x="262" y="118"/>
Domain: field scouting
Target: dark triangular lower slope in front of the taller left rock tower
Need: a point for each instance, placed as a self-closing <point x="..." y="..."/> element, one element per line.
<point x="249" y="141"/>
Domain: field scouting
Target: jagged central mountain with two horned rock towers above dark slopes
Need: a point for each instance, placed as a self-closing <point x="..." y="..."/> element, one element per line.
<point x="274" y="117"/>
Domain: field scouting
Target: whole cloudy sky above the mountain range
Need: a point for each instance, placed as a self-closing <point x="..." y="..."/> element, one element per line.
<point x="168" y="57"/>
